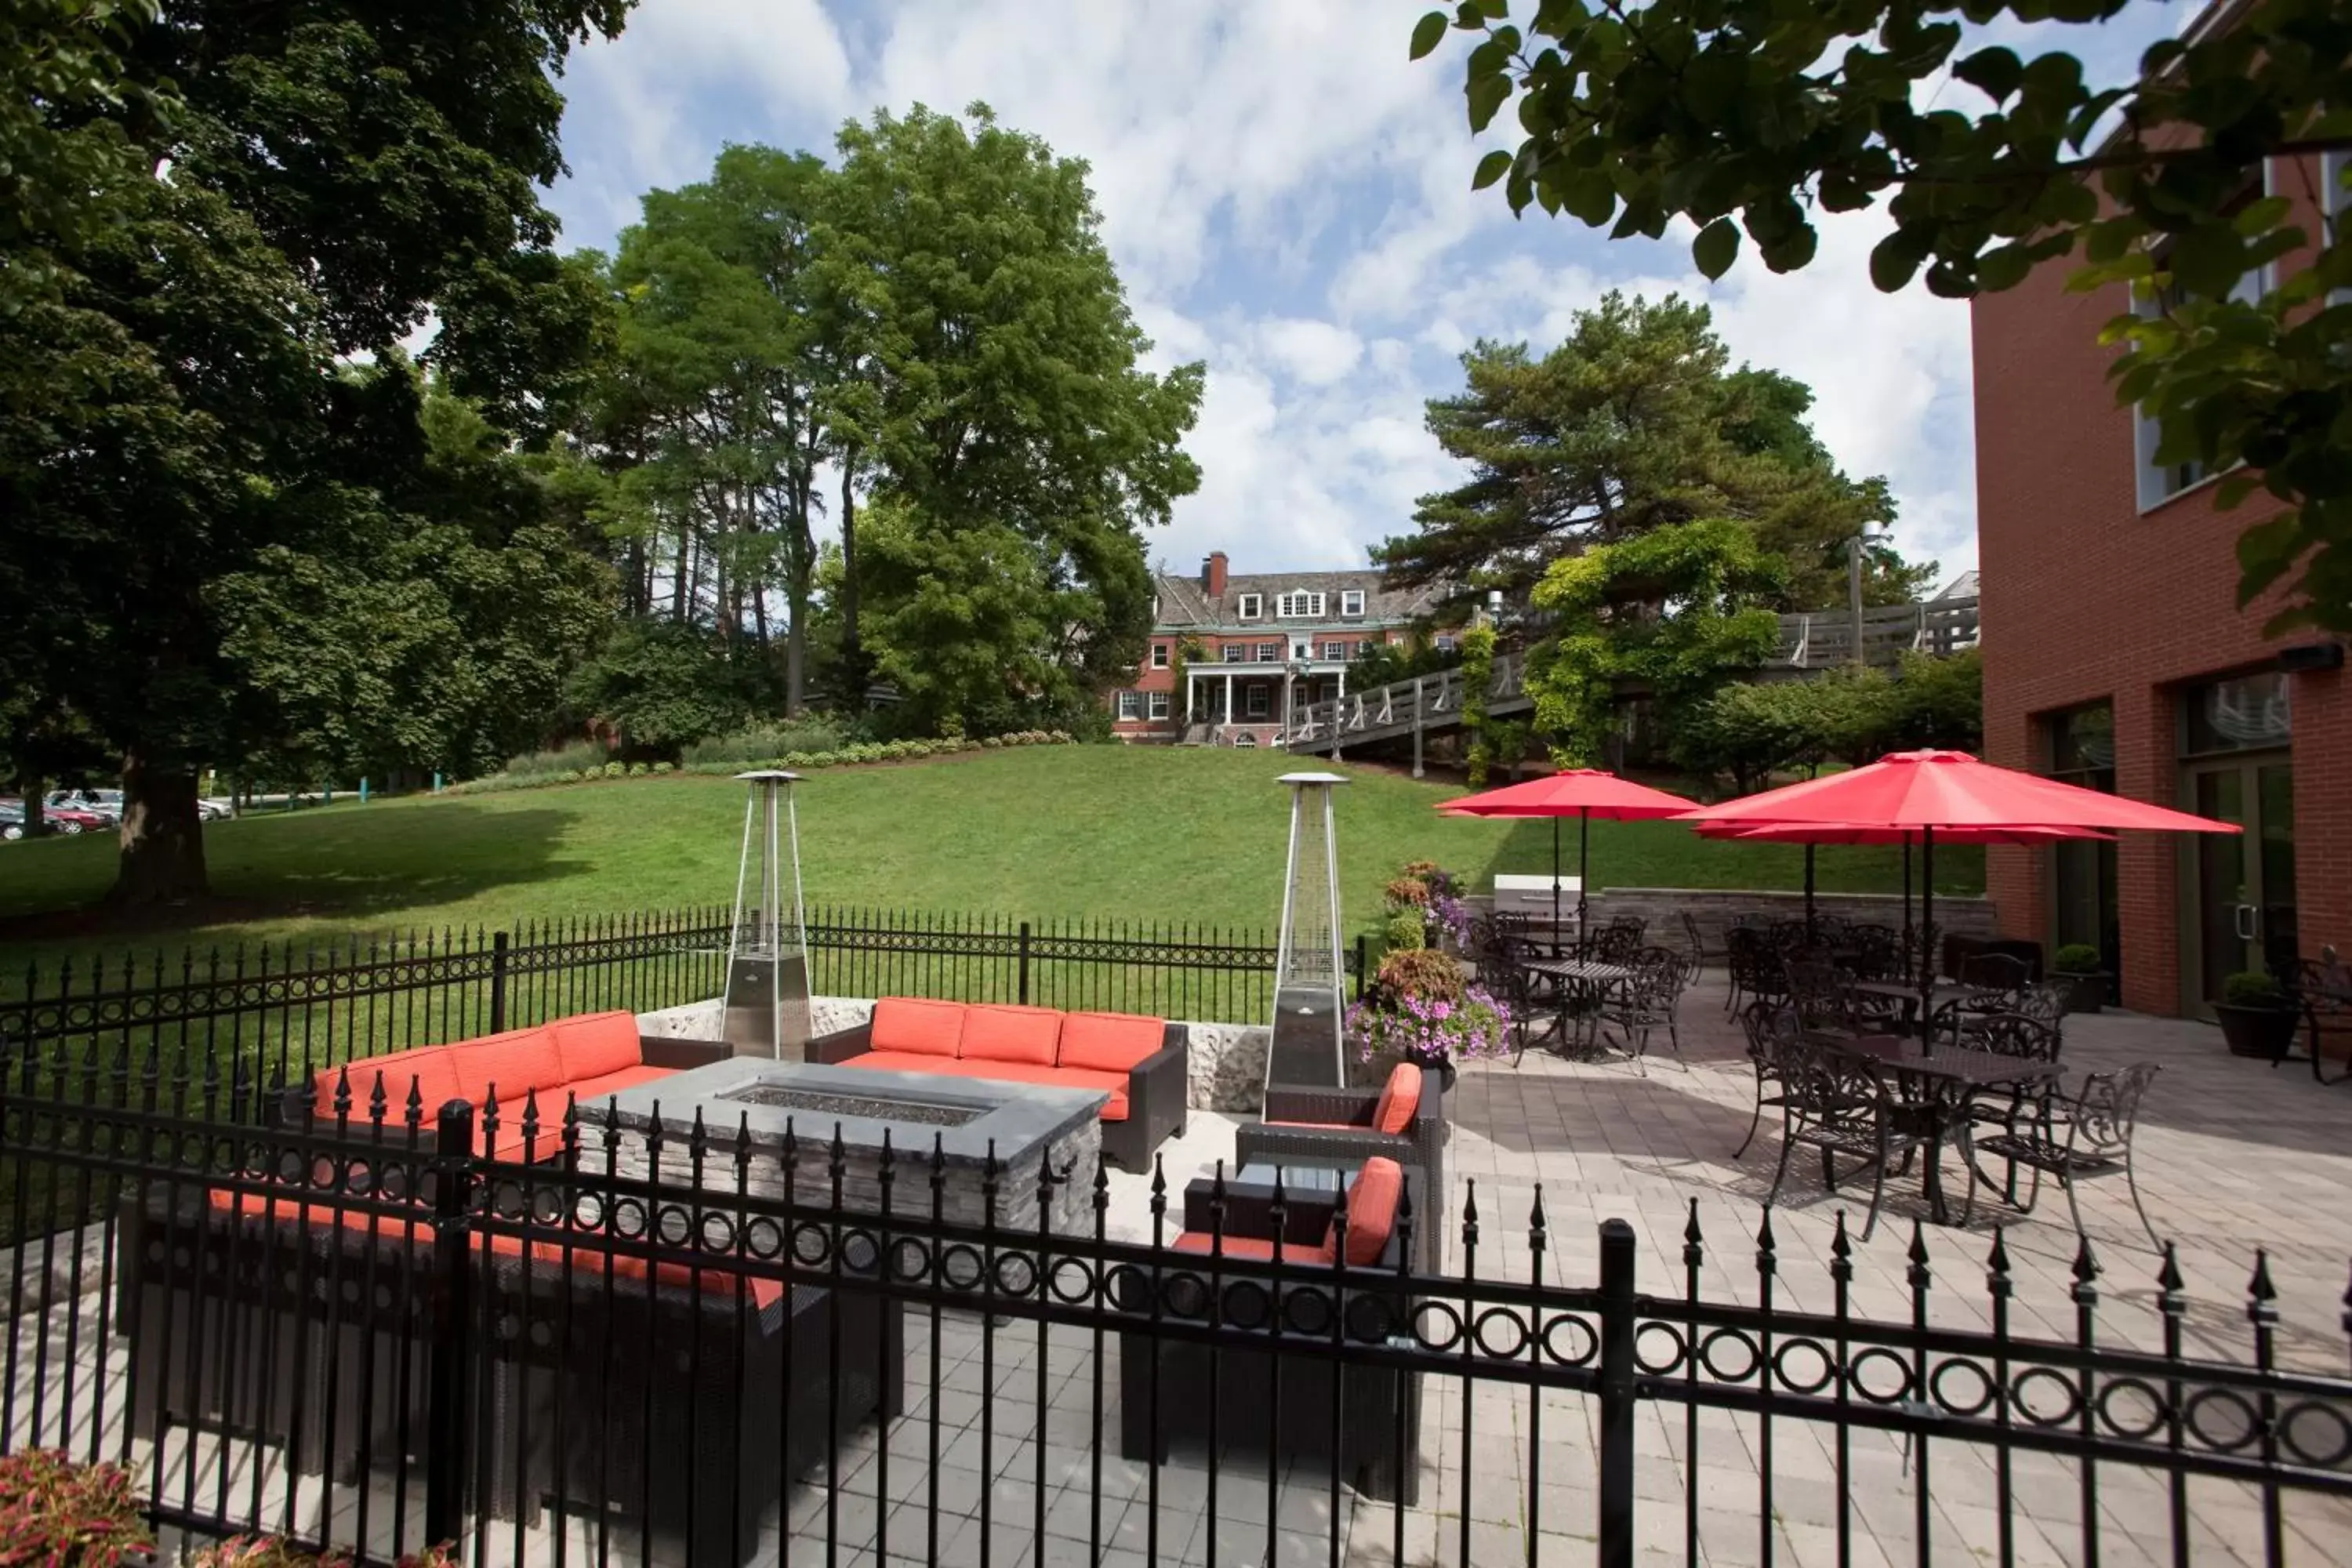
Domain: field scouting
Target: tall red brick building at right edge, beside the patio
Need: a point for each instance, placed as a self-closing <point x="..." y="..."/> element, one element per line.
<point x="2116" y="657"/>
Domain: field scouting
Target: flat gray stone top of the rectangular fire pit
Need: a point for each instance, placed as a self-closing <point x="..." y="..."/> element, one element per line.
<point x="918" y="1108"/>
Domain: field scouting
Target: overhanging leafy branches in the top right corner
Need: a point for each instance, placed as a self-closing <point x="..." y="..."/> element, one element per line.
<point x="1749" y="119"/>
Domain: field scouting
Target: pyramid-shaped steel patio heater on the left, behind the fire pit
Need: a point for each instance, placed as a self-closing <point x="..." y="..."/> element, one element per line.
<point x="768" y="960"/>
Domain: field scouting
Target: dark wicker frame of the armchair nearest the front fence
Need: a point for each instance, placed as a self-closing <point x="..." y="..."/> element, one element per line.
<point x="1248" y="1383"/>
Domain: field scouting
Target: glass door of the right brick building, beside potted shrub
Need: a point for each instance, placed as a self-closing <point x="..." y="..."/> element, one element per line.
<point x="2243" y="887"/>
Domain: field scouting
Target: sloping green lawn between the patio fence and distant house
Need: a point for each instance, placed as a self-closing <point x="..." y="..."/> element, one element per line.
<point x="1031" y="833"/>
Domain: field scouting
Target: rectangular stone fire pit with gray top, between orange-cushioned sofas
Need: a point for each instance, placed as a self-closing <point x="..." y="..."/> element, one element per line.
<point x="963" y="1118"/>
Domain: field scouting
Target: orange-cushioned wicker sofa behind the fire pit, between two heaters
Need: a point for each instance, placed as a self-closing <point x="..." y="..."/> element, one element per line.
<point x="1137" y="1061"/>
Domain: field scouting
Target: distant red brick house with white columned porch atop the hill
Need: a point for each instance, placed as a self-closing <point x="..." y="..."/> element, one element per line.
<point x="1267" y="645"/>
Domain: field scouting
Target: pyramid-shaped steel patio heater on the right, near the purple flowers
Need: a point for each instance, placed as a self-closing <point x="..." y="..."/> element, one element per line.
<point x="1309" y="998"/>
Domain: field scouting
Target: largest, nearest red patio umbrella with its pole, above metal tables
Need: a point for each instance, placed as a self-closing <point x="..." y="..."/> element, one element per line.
<point x="1944" y="791"/>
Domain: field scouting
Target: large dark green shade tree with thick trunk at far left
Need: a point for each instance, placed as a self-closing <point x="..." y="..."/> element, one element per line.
<point x="180" y="422"/>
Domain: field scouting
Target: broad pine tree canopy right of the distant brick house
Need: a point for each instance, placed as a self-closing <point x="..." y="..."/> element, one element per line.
<point x="1633" y="424"/>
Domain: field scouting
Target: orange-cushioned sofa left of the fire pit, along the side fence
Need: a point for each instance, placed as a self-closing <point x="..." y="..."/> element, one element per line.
<point x="554" y="1064"/>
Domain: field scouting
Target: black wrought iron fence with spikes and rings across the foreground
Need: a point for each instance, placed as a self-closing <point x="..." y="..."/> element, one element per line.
<point x="641" y="1343"/>
